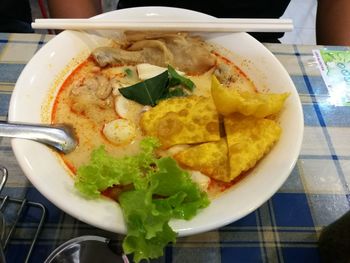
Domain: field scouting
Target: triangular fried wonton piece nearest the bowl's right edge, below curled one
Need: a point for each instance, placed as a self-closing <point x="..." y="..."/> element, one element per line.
<point x="248" y="140"/>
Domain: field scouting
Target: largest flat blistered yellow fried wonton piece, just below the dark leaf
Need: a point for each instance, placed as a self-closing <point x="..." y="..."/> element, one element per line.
<point x="182" y="120"/>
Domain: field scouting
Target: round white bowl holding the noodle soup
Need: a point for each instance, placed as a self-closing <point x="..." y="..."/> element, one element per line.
<point x="48" y="68"/>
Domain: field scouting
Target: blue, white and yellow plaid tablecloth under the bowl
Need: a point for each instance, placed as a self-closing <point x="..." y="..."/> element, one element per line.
<point x="284" y="229"/>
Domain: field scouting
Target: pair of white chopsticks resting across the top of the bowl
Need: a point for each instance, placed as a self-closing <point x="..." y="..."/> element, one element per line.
<point x="215" y="25"/>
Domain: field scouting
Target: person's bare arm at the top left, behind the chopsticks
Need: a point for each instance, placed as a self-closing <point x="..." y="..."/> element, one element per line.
<point x="74" y="8"/>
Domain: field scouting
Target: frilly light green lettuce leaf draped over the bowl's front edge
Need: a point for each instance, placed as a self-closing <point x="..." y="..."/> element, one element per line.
<point x="161" y="191"/>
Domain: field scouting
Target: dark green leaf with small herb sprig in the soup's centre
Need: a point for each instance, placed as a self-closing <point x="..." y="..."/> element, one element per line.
<point x="165" y="85"/>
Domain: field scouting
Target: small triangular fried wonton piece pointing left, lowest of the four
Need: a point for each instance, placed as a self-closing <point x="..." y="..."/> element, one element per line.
<point x="208" y="158"/>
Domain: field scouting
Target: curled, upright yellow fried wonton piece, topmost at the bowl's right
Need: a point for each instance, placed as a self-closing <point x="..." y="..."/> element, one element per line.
<point x="260" y="105"/>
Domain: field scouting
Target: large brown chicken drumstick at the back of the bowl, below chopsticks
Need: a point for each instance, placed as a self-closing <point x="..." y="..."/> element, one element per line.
<point x="189" y="54"/>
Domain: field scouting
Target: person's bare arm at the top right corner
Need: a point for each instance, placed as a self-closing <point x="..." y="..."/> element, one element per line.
<point x="333" y="22"/>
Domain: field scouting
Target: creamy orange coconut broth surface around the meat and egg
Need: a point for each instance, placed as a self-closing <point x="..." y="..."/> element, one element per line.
<point x="89" y="125"/>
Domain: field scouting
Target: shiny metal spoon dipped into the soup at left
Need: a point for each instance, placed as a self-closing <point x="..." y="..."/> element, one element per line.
<point x="61" y="137"/>
